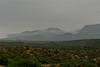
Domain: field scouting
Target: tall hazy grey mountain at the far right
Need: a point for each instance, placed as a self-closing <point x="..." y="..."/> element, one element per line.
<point x="90" y="32"/>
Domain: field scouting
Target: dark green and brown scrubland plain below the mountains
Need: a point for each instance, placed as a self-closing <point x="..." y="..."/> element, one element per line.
<point x="83" y="53"/>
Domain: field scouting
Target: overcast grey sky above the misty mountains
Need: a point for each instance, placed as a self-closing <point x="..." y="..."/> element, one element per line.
<point x="69" y="15"/>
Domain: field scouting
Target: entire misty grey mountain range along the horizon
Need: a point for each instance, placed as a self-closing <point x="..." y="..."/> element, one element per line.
<point x="56" y="34"/>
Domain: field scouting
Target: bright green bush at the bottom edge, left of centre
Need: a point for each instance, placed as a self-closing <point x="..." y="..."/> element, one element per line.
<point x="23" y="62"/>
